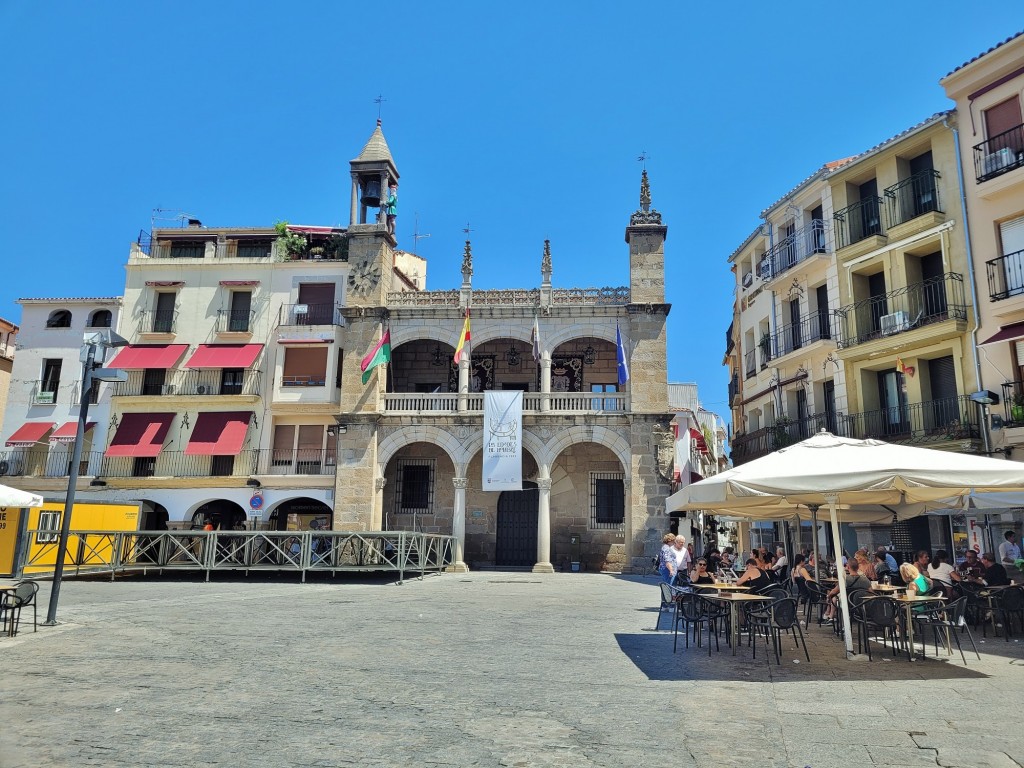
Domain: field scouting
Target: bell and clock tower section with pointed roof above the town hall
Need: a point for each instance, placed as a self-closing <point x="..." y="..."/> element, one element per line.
<point x="371" y="246"/>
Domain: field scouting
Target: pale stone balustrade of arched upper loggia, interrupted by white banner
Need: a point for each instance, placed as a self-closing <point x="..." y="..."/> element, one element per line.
<point x="448" y="403"/>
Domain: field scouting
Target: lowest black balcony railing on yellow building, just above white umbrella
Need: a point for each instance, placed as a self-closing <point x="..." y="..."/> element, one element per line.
<point x="948" y="419"/>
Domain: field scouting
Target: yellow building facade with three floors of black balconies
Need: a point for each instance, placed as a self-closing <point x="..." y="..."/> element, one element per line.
<point x="906" y="292"/>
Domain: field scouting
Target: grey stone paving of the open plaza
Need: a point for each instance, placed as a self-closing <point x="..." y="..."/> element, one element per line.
<point x="486" y="669"/>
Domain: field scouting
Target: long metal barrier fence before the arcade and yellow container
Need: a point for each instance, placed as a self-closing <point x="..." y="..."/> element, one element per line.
<point x="118" y="552"/>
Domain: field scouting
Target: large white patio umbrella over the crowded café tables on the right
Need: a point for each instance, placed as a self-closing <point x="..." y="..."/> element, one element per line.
<point x="872" y="479"/>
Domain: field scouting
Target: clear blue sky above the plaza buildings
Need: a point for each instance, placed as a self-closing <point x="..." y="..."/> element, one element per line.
<point x="523" y="119"/>
